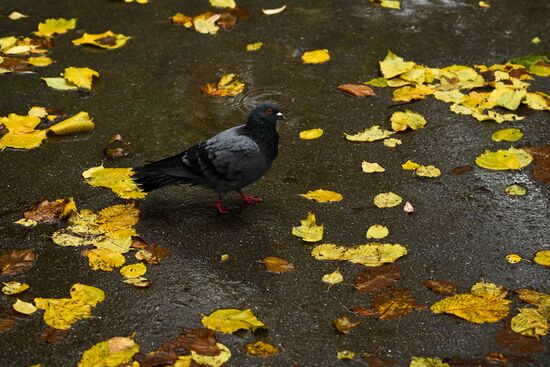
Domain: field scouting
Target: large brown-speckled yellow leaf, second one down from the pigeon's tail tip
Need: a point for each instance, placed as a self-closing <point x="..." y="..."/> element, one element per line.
<point x="110" y="228"/>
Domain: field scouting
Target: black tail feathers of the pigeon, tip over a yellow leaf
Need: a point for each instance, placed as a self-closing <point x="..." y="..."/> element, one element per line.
<point x="155" y="175"/>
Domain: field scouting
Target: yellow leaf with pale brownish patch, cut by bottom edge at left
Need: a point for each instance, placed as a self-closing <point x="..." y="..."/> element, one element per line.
<point x="112" y="352"/>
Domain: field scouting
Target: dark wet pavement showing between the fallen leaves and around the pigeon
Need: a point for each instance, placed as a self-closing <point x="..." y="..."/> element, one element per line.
<point x="149" y="92"/>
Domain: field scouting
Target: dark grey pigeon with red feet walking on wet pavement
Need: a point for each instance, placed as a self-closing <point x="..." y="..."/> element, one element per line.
<point x="226" y="162"/>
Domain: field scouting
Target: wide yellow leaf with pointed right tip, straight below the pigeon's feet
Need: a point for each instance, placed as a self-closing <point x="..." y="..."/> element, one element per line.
<point x="229" y="320"/>
